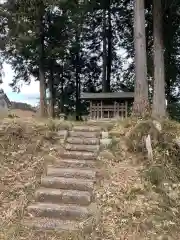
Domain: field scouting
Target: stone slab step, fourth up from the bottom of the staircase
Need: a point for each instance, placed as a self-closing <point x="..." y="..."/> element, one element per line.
<point x="67" y="183"/>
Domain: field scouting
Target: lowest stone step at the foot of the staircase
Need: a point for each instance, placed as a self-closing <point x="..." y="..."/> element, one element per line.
<point x="58" y="225"/>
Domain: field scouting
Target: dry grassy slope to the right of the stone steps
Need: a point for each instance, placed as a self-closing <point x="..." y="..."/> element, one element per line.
<point x="139" y="198"/>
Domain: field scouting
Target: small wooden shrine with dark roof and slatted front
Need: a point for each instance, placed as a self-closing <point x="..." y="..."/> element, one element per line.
<point x="108" y="105"/>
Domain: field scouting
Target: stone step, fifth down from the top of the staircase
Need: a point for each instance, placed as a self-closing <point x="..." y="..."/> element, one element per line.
<point x="78" y="155"/>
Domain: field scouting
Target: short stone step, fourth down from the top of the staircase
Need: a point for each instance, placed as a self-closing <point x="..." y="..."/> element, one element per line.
<point x="86" y="148"/>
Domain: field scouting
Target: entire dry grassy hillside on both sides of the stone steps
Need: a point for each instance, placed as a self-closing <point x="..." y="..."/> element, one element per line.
<point x="138" y="198"/>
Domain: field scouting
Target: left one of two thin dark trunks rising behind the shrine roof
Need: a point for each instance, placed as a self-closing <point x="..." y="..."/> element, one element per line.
<point x="104" y="74"/>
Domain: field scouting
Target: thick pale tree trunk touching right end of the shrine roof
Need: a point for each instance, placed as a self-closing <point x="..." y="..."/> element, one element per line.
<point x="141" y="102"/>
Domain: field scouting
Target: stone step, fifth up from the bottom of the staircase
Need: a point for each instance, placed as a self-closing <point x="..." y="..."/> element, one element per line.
<point x="71" y="173"/>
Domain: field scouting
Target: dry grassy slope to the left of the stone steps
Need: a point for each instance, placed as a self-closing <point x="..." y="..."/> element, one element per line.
<point x="26" y="147"/>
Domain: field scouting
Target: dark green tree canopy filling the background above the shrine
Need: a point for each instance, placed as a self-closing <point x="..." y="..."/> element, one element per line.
<point x="74" y="46"/>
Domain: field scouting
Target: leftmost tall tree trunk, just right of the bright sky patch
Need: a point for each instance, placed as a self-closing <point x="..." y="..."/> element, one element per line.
<point x="43" y="105"/>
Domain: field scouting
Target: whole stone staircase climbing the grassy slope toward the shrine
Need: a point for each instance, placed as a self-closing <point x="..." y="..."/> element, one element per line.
<point x="65" y="200"/>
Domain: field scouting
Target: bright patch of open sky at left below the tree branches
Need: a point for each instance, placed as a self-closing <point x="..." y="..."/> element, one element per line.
<point x="28" y="93"/>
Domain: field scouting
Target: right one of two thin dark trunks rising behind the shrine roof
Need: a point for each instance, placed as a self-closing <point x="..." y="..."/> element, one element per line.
<point x="109" y="58"/>
